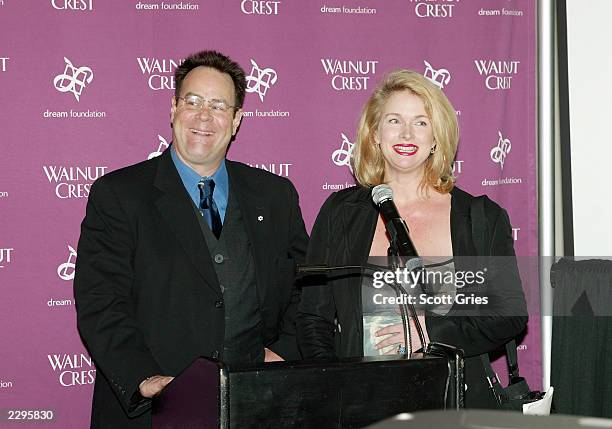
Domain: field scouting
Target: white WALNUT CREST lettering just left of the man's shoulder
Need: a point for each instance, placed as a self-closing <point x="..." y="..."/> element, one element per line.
<point x="73" y="182"/>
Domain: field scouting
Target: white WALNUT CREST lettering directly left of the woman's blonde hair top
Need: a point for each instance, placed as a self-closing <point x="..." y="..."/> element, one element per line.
<point x="351" y="75"/>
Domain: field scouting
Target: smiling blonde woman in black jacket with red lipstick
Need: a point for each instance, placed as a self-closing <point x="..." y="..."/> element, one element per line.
<point x="407" y="139"/>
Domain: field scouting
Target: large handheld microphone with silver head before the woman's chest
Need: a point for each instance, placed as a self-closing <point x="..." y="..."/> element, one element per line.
<point x="382" y="195"/>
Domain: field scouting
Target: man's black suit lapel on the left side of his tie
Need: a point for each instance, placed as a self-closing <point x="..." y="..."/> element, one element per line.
<point x="176" y="208"/>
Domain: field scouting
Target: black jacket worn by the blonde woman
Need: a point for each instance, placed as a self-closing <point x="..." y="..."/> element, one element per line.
<point x="343" y="234"/>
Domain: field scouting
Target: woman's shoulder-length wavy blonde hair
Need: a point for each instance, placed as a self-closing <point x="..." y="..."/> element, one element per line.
<point x="368" y="162"/>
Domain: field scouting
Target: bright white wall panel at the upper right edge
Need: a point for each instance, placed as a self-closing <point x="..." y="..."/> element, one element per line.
<point x="589" y="46"/>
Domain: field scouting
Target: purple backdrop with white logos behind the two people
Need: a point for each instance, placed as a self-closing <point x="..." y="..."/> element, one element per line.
<point x="86" y="88"/>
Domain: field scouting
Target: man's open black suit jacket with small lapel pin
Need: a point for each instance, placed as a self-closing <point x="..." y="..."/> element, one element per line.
<point x="147" y="296"/>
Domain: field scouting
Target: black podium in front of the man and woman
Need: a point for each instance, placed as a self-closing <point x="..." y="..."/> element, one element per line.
<point x="345" y="393"/>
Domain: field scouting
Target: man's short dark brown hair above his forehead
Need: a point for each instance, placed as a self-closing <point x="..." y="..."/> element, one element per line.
<point x="217" y="61"/>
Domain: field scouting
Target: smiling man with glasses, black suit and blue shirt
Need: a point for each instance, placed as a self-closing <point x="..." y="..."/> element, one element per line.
<point x="187" y="254"/>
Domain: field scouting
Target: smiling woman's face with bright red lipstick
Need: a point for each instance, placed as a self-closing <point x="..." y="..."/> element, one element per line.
<point x="404" y="134"/>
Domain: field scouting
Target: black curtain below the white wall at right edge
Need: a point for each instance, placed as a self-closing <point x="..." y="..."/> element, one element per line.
<point x="581" y="367"/>
